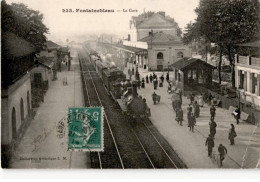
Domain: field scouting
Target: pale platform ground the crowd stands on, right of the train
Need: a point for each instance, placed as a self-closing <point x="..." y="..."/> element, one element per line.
<point x="191" y="146"/>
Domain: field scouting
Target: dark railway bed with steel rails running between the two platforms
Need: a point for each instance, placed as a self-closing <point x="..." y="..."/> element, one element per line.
<point x="130" y="144"/>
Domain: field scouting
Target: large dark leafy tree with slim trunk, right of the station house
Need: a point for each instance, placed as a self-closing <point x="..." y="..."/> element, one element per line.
<point x="227" y="23"/>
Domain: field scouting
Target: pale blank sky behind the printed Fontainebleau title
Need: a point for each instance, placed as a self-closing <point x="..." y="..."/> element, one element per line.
<point x="64" y="24"/>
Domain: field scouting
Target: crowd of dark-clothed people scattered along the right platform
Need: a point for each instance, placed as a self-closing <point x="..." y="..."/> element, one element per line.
<point x="193" y="112"/>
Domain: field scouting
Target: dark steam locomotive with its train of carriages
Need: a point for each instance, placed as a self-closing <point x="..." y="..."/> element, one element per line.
<point x="123" y="91"/>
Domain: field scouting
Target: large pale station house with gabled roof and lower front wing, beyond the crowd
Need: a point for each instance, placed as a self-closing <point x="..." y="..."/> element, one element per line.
<point x="157" y="36"/>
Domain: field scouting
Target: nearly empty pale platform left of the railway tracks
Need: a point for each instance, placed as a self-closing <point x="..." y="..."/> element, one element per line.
<point x="41" y="147"/>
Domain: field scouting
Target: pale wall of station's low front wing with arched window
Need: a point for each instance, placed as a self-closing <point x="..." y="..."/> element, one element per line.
<point x="169" y="55"/>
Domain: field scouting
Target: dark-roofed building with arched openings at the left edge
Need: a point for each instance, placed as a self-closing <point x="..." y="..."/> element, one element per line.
<point x="17" y="61"/>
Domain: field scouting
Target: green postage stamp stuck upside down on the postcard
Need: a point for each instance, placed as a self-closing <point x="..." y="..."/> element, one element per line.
<point x="85" y="127"/>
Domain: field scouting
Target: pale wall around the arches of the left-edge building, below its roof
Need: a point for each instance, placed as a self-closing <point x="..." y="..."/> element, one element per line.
<point x="12" y="97"/>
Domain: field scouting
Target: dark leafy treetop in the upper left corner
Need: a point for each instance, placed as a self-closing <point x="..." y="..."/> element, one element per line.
<point x="24" y="22"/>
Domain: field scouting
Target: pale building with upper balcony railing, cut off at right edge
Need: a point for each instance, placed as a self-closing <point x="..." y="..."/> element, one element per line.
<point x="247" y="80"/>
